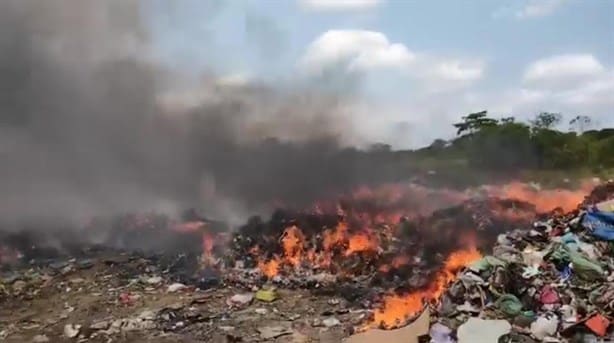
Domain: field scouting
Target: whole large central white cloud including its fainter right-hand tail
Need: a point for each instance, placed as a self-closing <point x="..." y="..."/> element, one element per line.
<point x="370" y="51"/>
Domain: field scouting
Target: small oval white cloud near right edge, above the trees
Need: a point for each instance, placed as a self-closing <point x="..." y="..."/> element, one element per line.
<point x="563" y="70"/>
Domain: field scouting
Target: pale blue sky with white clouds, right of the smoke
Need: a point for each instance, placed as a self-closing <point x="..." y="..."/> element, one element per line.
<point x="411" y="68"/>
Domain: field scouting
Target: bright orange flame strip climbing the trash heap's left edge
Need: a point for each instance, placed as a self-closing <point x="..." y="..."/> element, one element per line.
<point x="397" y="309"/>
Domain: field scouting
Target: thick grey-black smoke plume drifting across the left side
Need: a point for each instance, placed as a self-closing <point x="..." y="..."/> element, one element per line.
<point x="91" y="123"/>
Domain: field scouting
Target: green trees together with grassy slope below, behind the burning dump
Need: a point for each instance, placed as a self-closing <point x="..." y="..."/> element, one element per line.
<point x="488" y="149"/>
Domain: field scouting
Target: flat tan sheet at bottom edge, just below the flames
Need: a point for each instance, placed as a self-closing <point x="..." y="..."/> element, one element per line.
<point x="408" y="334"/>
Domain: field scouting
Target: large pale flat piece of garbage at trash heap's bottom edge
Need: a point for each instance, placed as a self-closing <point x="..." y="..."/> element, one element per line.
<point x="480" y="330"/>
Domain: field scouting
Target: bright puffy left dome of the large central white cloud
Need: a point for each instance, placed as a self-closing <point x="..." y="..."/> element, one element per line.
<point x="357" y="50"/>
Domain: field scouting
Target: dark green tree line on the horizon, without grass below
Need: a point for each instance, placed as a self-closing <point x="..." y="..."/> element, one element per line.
<point x="505" y="144"/>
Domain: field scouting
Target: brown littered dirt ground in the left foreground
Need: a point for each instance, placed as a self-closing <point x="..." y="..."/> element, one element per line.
<point x="103" y="304"/>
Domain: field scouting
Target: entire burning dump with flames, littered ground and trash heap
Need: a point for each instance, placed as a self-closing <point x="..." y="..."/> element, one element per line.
<point x="502" y="269"/>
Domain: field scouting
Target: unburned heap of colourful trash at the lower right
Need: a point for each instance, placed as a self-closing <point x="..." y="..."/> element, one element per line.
<point x="553" y="282"/>
